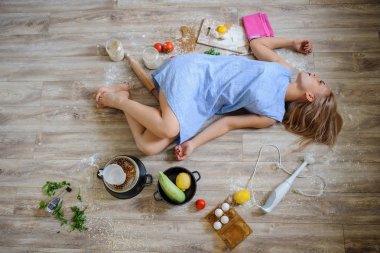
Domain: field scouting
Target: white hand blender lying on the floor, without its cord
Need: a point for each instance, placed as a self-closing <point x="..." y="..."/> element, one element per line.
<point x="279" y="193"/>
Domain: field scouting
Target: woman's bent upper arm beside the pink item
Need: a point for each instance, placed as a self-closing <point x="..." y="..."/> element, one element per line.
<point x="263" y="48"/>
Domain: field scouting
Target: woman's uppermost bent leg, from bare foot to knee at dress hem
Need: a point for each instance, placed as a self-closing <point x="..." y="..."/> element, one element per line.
<point x="162" y="124"/>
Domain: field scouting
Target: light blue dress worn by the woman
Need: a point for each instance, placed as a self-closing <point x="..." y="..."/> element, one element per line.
<point x="198" y="86"/>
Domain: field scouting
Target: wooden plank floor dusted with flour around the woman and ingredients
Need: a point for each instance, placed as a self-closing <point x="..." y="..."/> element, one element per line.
<point x="51" y="130"/>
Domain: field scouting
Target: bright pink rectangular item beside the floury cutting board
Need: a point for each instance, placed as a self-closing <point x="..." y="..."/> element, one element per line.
<point x="257" y="25"/>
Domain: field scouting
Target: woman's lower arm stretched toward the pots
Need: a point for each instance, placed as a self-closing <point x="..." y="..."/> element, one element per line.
<point x="219" y="128"/>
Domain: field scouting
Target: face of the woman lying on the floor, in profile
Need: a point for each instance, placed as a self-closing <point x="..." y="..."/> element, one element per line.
<point x="312" y="85"/>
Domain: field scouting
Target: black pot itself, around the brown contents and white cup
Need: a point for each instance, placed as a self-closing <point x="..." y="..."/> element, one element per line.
<point x="143" y="180"/>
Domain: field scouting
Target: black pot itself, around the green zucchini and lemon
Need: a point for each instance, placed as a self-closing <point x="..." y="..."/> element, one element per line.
<point x="172" y="173"/>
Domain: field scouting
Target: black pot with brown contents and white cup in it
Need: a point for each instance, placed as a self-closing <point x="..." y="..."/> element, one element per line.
<point x="136" y="177"/>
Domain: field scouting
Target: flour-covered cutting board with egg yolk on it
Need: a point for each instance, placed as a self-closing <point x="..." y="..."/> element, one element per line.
<point x="236" y="41"/>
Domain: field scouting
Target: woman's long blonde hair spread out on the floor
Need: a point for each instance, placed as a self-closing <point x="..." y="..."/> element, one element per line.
<point x="317" y="121"/>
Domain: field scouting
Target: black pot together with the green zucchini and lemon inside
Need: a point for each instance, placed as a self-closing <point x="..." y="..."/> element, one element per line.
<point x="176" y="185"/>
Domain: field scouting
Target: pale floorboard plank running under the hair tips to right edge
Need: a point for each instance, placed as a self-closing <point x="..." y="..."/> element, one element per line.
<point x="351" y="146"/>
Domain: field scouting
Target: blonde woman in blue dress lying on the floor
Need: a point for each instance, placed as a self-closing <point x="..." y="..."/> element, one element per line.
<point x="193" y="88"/>
